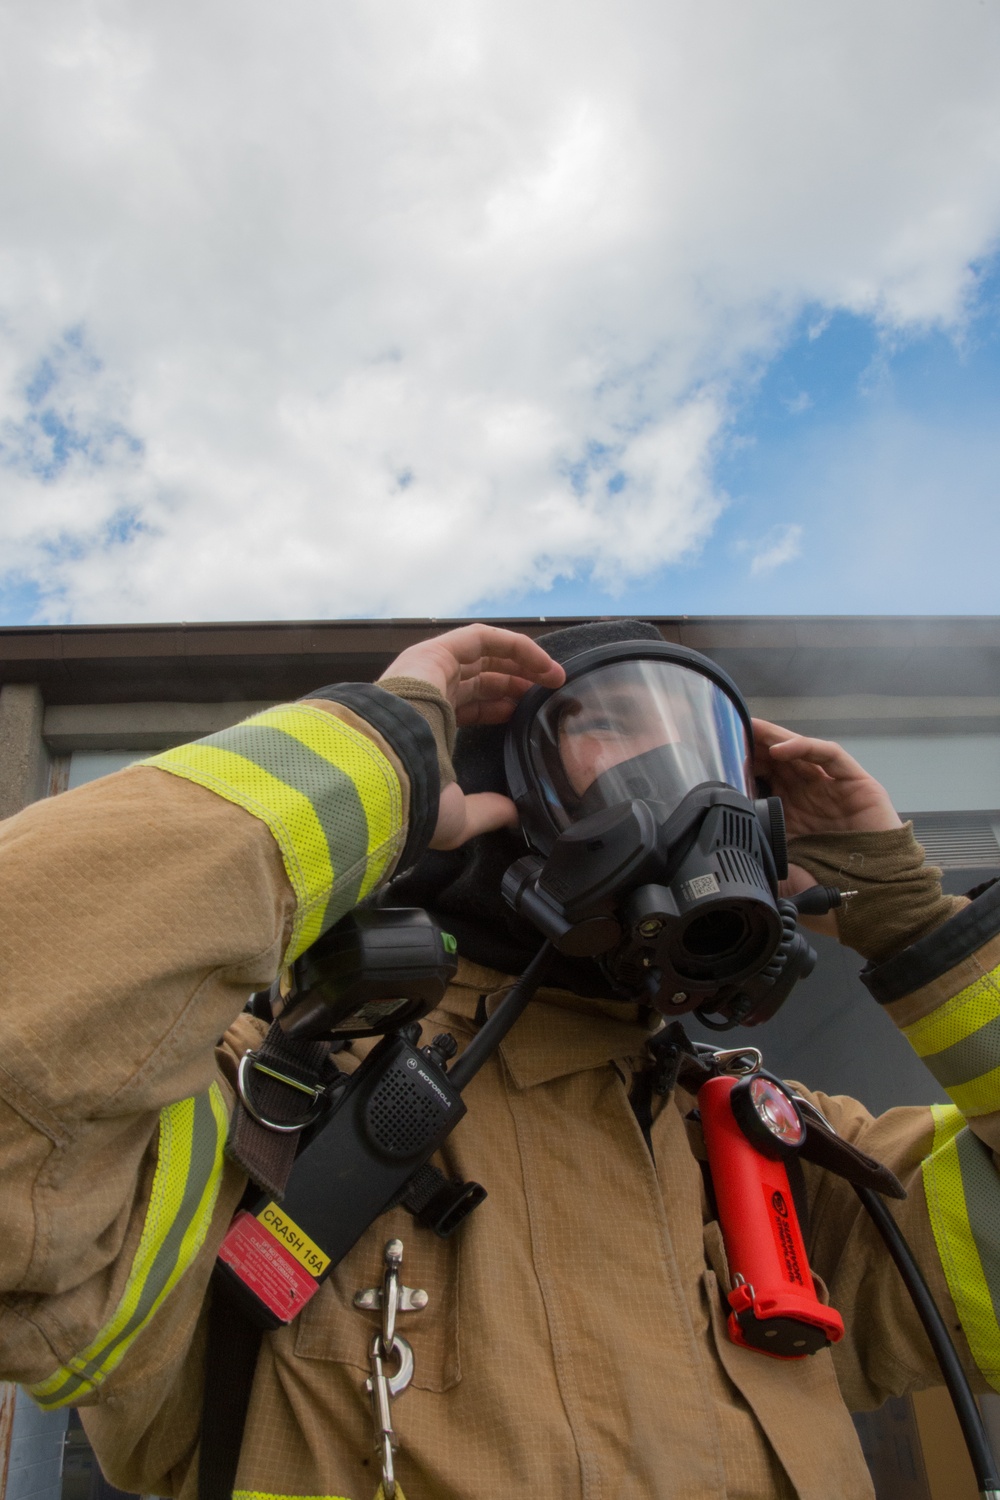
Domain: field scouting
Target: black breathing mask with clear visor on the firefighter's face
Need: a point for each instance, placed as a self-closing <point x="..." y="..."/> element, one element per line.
<point x="650" y="850"/>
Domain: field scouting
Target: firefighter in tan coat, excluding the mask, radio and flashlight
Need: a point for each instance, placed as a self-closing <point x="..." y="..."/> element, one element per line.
<point x="573" y="1340"/>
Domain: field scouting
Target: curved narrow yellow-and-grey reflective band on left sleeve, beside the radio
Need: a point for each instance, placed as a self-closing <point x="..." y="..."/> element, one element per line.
<point x="182" y="1202"/>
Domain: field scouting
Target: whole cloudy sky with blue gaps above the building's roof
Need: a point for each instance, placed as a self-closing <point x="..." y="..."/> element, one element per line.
<point x="499" y="307"/>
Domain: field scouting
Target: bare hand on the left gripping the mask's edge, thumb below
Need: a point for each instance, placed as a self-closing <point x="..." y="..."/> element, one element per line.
<point x="484" y="673"/>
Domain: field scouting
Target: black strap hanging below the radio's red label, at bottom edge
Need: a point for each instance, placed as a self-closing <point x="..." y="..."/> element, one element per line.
<point x="230" y="1366"/>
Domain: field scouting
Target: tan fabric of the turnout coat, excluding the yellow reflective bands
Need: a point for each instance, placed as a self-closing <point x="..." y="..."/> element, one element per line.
<point x="575" y="1340"/>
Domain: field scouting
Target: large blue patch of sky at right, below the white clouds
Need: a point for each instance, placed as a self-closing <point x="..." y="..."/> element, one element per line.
<point x="872" y="458"/>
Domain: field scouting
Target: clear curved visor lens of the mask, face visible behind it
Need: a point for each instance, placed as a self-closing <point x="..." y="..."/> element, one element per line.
<point x="636" y="730"/>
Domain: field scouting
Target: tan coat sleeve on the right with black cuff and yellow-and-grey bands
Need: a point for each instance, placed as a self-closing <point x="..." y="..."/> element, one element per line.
<point x="944" y="992"/>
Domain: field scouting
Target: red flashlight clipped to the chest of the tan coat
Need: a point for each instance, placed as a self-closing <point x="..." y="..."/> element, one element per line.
<point x="752" y="1129"/>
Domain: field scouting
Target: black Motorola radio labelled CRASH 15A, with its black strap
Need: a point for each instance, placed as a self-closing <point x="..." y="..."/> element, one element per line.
<point x="298" y="1117"/>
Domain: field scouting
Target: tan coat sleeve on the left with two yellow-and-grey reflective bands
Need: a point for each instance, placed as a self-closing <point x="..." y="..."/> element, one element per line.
<point x="137" y="916"/>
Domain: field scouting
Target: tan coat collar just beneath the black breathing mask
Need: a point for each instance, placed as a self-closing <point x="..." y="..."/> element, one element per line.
<point x="560" y="1033"/>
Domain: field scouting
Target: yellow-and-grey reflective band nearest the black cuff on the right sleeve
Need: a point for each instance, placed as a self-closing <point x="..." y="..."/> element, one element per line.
<point x="960" y="1043"/>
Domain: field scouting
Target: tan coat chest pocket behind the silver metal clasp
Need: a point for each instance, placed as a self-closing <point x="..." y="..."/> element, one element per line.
<point x="332" y="1328"/>
